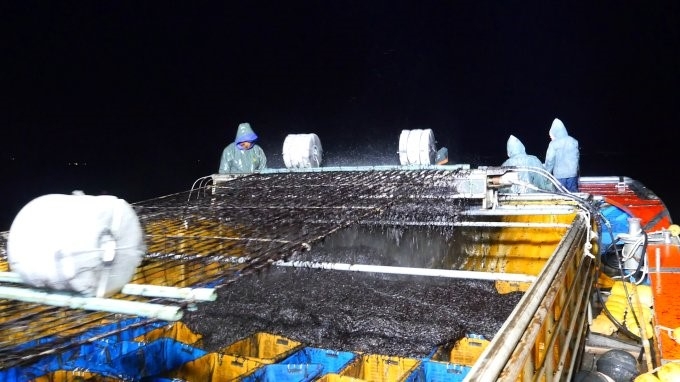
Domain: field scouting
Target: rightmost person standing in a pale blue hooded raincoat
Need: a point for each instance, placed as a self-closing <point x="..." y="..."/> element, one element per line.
<point x="562" y="156"/>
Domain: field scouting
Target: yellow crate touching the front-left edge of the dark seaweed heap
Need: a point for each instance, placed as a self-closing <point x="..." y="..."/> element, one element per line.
<point x="263" y="347"/>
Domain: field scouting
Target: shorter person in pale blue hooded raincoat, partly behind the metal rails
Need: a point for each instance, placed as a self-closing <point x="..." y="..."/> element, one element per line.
<point x="518" y="157"/>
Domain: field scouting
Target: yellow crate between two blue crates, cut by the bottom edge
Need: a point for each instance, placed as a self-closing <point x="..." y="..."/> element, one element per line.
<point x="373" y="367"/>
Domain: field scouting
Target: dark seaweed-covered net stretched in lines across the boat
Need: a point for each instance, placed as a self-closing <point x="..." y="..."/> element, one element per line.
<point x="215" y="233"/>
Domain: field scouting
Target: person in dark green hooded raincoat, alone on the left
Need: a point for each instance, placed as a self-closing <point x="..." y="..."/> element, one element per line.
<point x="243" y="155"/>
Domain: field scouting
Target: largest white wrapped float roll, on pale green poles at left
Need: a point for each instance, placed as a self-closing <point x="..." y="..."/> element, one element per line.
<point x="87" y="244"/>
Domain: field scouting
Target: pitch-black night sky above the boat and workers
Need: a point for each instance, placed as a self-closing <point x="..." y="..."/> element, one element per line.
<point x="143" y="96"/>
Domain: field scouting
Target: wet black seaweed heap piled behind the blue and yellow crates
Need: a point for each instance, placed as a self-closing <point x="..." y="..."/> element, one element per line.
<point x="387" y="314"/>
